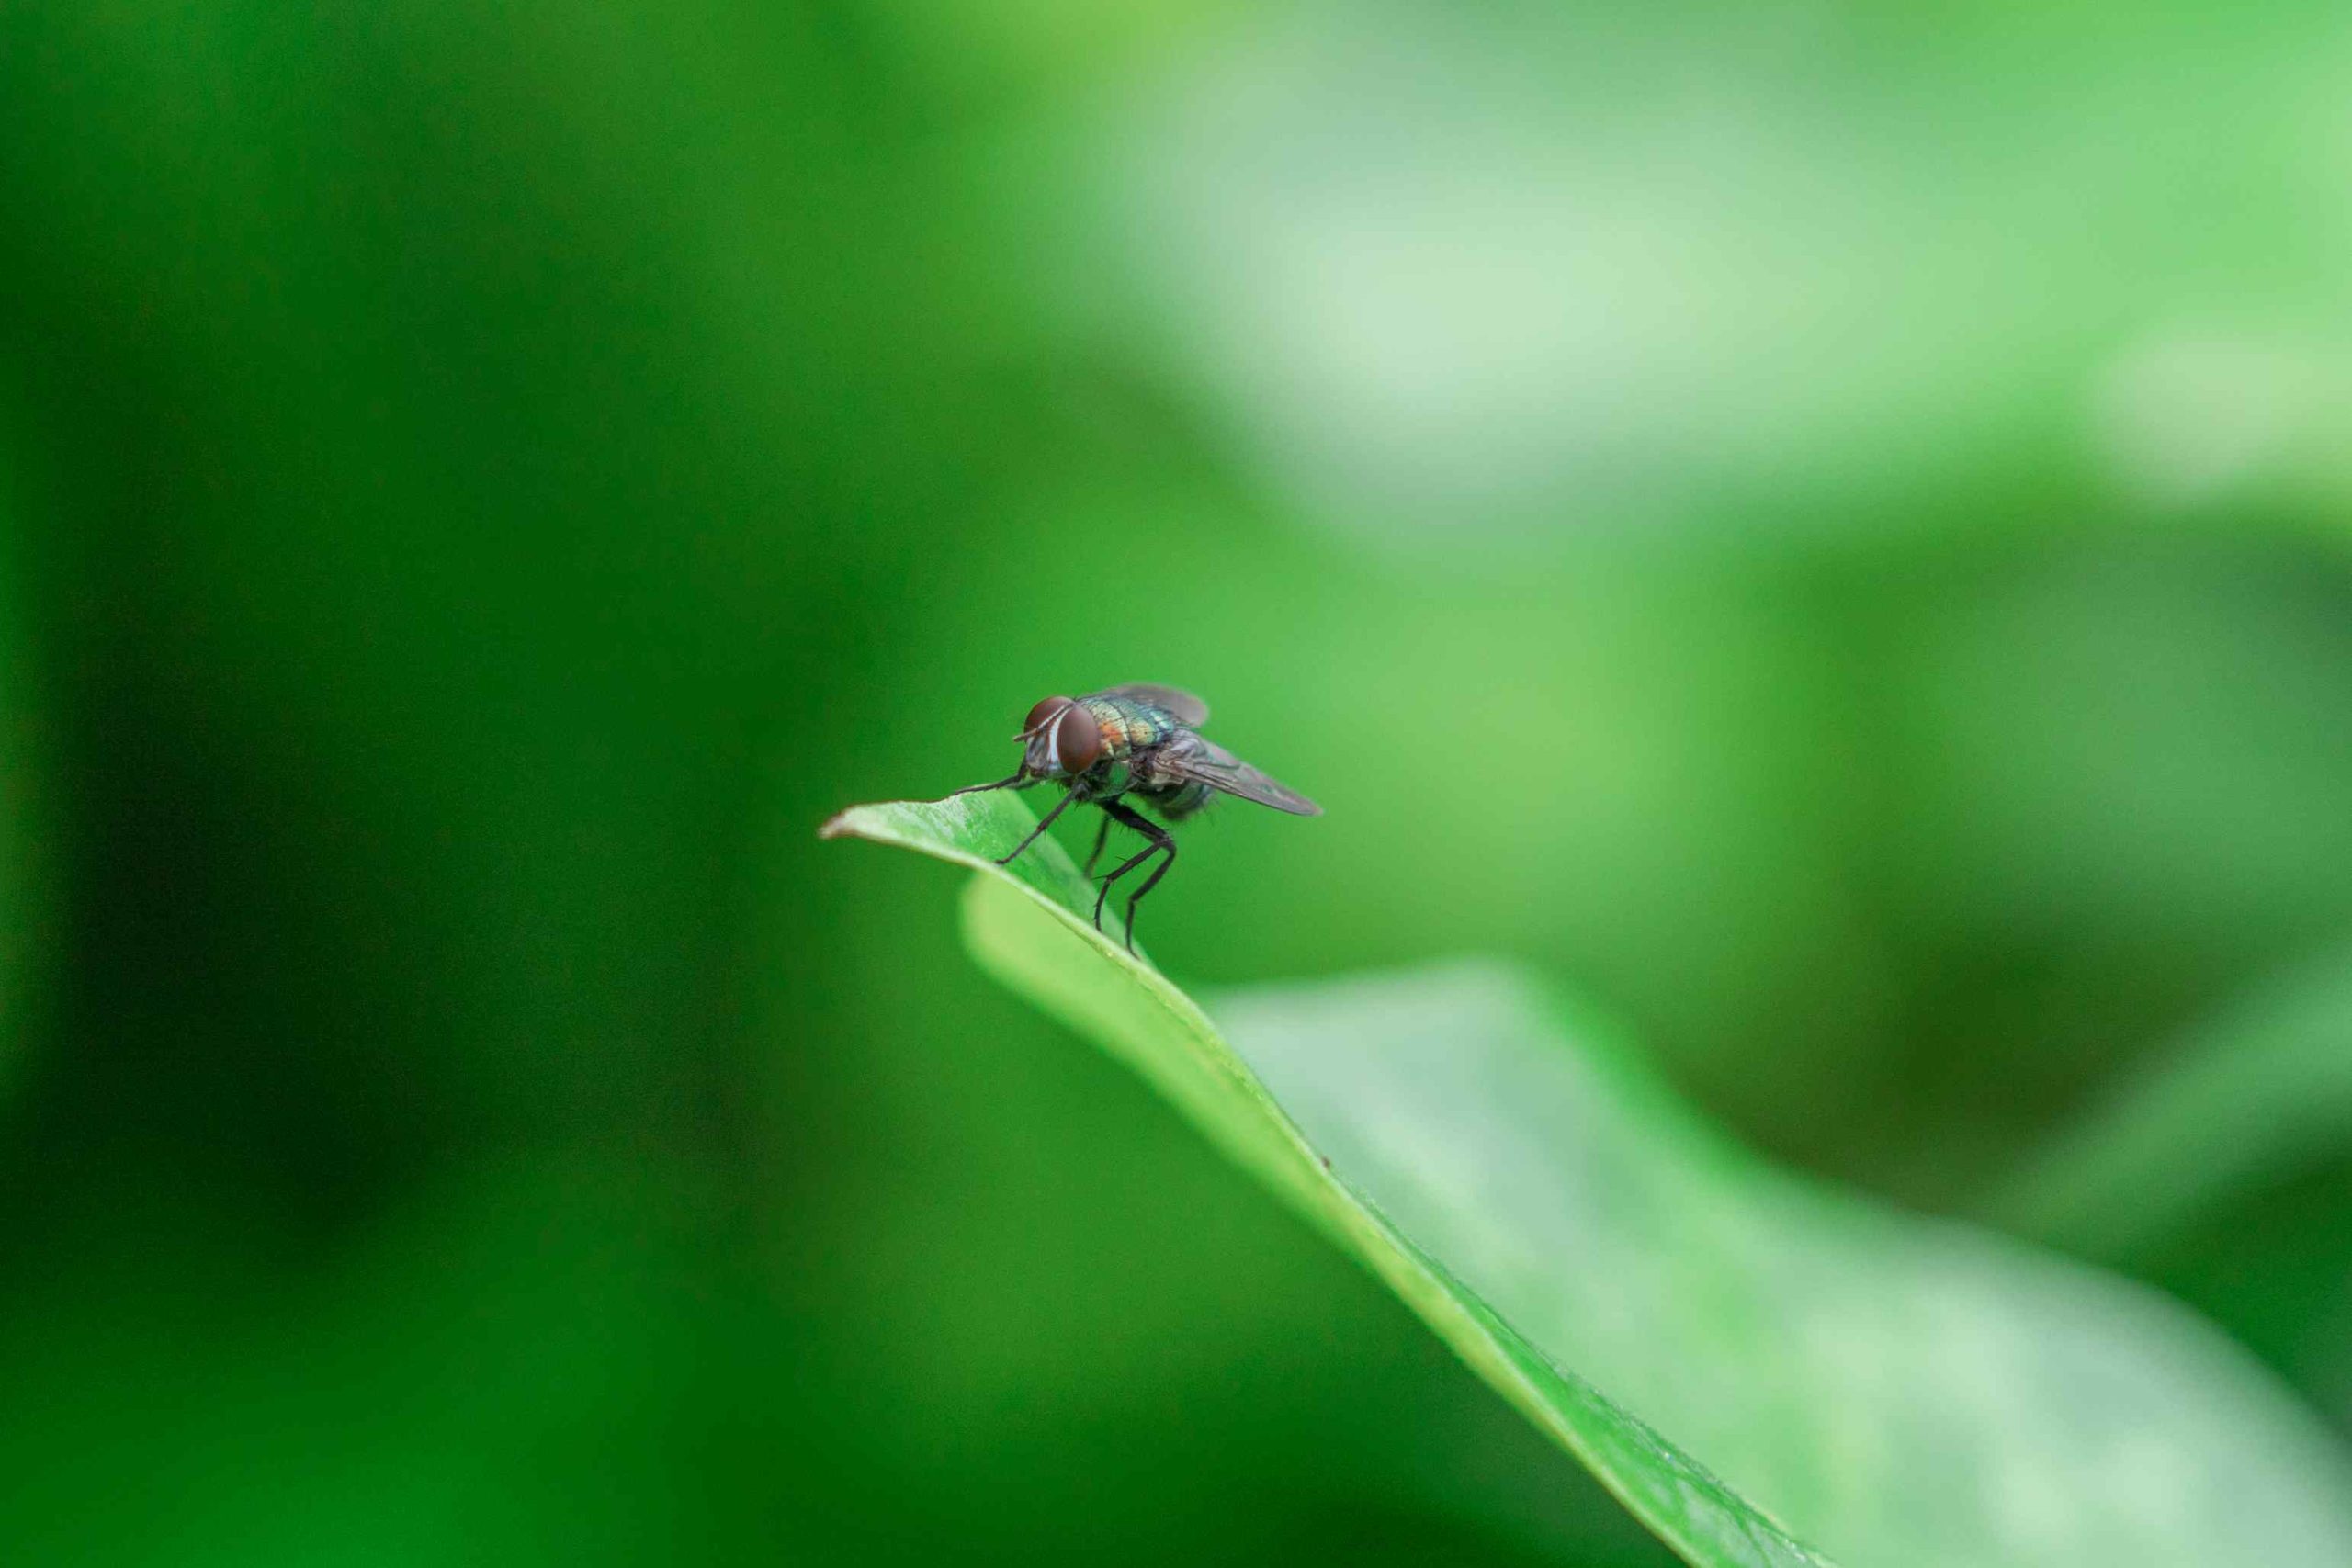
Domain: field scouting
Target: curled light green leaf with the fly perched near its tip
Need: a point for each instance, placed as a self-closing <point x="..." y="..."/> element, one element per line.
<point x="1746" y="1360"/>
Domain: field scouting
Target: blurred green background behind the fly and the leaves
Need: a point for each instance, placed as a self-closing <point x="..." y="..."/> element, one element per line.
<point x="1822" y="525"/>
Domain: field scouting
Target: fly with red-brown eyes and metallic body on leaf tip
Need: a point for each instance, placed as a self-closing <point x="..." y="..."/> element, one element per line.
<point x="1135" y="744"/>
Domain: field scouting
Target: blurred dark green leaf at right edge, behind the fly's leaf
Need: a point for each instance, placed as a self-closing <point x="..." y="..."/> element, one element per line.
<point x="2257" y="1097"/>
